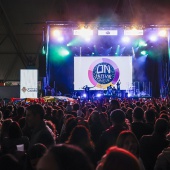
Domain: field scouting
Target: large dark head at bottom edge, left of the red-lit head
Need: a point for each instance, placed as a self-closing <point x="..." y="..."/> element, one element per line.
<point x="65" y="156"/>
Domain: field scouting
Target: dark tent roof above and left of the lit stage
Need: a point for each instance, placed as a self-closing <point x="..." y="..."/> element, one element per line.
<point x="22" y="23"/>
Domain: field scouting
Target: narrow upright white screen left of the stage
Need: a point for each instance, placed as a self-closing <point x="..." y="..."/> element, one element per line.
<point x="28" y="83"/>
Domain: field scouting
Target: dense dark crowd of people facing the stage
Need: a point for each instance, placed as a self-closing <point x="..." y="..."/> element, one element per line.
<point x="108" y="134"/>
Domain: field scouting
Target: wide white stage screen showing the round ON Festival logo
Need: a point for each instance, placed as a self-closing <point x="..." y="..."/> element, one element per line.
<point x="100" y="72"/>
